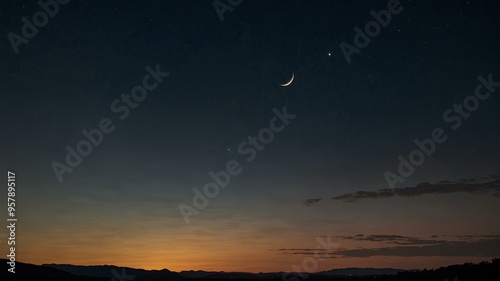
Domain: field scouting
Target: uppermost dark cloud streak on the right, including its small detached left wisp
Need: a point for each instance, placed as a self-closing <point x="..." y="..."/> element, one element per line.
<point x="482" y="186"/>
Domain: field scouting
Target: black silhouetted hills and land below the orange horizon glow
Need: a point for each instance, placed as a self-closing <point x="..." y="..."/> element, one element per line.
<point x="469" y="271"/>
